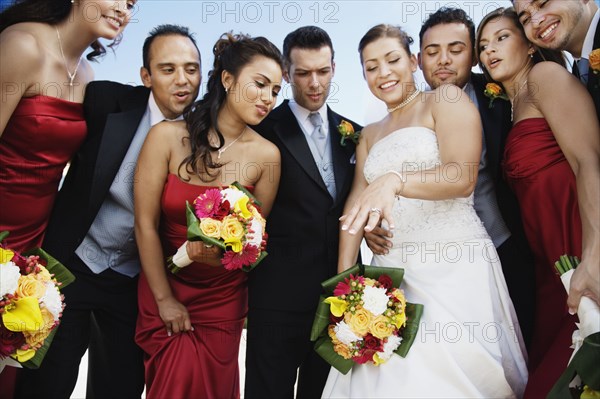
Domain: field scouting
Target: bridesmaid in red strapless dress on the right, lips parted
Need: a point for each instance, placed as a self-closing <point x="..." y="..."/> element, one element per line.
<point x="552" y="162"/>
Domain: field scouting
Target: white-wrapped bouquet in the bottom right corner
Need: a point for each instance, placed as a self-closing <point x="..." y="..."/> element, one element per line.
<point x="581" y="379"/>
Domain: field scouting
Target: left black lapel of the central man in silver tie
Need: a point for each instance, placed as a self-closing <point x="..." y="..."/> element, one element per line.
<point x="290" y="133"/>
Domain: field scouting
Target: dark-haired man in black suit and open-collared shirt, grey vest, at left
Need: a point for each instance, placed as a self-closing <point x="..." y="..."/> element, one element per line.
<point x="91" y="227"/>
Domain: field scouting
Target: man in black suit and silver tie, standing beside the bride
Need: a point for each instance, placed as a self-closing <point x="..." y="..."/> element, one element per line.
<point x="316" y="175"/>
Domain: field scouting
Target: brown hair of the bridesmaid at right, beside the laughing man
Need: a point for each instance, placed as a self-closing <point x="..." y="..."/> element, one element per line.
<point x="539" y="55"/>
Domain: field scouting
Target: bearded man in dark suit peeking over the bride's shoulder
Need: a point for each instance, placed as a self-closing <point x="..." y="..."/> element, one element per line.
<point x="446" y="56"/>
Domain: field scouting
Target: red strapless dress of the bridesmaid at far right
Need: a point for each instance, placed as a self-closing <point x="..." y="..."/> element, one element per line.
<point x="545" y="186"/>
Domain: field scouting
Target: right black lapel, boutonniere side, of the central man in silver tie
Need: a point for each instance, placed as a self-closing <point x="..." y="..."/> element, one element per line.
<point x="340" y="156"/>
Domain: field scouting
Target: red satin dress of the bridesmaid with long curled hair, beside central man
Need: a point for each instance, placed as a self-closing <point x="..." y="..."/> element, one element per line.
<point x="202" y="363"/>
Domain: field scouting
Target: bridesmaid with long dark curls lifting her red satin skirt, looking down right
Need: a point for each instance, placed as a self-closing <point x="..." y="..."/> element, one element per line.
<point x="190" y="324"/>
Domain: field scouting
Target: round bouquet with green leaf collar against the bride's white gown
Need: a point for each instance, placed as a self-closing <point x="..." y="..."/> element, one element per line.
<point x="364" y="318"/>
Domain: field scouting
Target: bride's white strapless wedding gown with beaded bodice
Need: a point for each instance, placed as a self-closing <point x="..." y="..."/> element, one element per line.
<point x="469" y="344"/>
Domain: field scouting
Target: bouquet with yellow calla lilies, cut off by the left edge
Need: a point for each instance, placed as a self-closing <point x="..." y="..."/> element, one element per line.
<point x="30" y="304"/>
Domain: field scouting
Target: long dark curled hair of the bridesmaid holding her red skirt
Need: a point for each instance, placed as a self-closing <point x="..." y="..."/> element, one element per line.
<point x="231" y="53"/>
